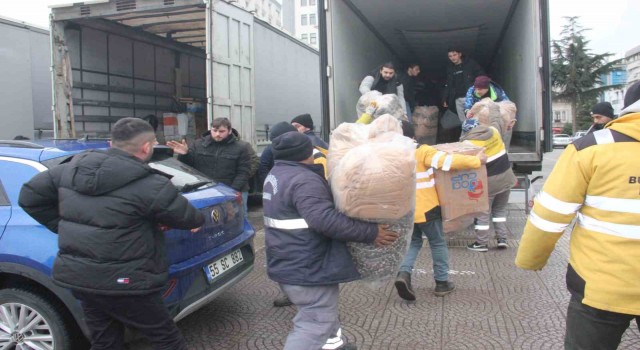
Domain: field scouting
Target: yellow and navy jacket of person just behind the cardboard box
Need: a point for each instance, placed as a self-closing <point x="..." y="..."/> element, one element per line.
<point x="499" y="172"/>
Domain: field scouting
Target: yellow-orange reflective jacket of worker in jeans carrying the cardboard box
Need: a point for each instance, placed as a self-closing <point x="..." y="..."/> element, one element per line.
<point x="428" y="158"/>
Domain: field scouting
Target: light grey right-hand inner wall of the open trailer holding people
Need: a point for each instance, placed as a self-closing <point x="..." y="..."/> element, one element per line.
<point x="516" y="67"/>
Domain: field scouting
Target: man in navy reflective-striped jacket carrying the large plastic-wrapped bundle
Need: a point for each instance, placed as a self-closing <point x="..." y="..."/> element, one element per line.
<point x="305" y="238"/>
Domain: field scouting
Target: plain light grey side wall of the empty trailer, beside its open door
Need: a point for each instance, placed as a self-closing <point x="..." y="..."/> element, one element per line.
<point x="286" y="81"/>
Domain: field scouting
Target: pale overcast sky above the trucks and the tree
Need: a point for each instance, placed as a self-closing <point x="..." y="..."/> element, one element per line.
<point x="611" y="21"/>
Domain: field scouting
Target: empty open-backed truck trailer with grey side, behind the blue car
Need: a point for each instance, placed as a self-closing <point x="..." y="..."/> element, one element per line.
<point x="210" y="59"/>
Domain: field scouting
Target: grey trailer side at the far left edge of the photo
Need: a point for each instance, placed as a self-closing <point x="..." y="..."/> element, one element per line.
<point x="25" y="93"/>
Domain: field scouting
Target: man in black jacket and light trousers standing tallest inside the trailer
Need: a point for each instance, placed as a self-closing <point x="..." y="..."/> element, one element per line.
<point x="461" y="74"/>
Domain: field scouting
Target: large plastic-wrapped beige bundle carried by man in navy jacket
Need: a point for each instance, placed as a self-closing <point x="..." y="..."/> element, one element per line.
<point x="372" y="175"/>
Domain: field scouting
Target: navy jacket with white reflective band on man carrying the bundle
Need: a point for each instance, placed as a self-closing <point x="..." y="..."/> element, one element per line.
<point x="305" y="234"/>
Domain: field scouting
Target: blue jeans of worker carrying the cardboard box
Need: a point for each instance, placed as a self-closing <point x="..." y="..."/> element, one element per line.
<point x="439" y="250"/>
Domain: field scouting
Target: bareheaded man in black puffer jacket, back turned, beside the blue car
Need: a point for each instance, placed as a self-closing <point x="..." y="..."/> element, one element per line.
<point x="108" y="209"/>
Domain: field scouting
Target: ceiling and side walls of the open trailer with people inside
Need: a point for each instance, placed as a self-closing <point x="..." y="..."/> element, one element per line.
<point x="501" y="35"/>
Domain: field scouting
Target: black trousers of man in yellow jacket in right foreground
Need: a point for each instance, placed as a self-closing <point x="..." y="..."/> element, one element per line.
<point x="589" y="328"/>
